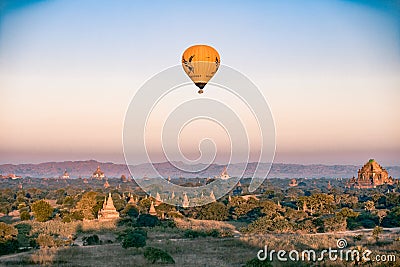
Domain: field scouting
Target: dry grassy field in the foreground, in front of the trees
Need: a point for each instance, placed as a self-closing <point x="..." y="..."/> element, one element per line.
<point x="202" y="251"/>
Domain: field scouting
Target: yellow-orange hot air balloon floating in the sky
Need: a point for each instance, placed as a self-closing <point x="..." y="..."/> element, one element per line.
<point x="200" y="63"/>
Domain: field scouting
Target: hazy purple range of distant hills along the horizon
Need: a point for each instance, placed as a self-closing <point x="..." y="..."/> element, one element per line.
<point x="86" y="168"/>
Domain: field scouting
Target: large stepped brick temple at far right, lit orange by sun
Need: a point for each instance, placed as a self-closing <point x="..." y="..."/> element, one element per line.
<point x="371" y="175"/>
